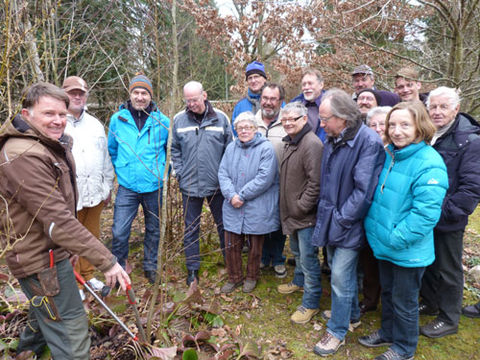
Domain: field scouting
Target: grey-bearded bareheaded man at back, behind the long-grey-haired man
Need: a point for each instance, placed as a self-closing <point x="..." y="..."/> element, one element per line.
<point x="311" y="97"/>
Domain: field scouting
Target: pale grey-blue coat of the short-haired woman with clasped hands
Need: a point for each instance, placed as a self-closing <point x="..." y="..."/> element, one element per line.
<point x="250" y="170"/>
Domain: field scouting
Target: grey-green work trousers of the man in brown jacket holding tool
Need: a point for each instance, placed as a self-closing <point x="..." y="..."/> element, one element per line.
<point x="58" y="321"/>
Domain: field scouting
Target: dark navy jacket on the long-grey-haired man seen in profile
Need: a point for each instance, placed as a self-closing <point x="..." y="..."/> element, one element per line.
<point x="348" y="179"/>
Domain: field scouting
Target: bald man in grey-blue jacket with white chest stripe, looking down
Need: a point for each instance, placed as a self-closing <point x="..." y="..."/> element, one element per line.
<point x="200" y="135"/>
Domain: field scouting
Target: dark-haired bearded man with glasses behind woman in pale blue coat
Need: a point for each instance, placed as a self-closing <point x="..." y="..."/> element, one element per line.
<point x="270" y="126"/>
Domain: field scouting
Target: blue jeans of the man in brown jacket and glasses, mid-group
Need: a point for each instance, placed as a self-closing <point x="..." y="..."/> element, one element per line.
<point x="307" y="267"/>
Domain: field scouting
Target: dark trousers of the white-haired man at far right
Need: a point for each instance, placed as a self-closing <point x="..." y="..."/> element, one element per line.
<point x="442" y="286"/>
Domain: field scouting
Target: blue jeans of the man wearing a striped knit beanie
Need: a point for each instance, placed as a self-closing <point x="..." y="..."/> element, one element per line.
<point x="125" y="210"/>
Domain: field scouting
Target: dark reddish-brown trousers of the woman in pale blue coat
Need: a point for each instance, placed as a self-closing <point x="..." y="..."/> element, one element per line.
<point x="234" y="244"/>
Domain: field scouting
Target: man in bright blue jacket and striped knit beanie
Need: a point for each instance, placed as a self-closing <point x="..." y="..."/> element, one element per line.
<point x="137" y="141"/>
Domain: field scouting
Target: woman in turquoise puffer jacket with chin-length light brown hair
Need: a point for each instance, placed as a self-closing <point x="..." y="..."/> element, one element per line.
<point x="399" y="225"/>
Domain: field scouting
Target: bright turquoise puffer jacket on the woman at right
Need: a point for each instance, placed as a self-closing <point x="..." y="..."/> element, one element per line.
<point x="407" y="205"/>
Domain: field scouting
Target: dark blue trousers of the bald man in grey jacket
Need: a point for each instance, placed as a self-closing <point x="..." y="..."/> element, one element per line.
<point x="192" y="210"/>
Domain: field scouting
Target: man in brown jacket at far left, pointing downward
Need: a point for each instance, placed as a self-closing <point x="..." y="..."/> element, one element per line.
<point x="39" y="230"/>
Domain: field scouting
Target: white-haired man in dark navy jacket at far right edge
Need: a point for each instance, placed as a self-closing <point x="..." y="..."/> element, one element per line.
<point x="458" y="141"/>
